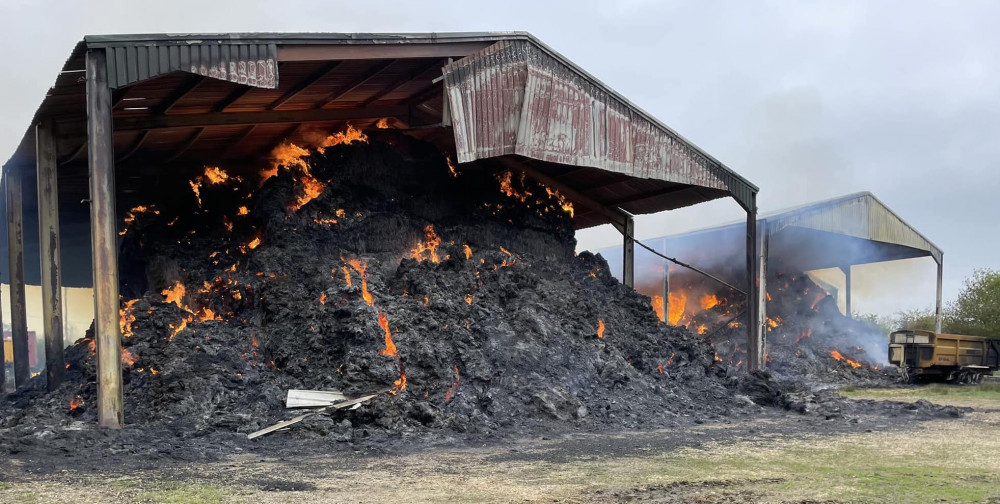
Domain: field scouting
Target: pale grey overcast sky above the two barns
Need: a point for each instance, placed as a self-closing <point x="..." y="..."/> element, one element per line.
<point x="808" y="100"/>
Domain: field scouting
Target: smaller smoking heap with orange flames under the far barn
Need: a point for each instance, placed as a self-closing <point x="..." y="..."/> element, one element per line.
<point x="807" y="337"/>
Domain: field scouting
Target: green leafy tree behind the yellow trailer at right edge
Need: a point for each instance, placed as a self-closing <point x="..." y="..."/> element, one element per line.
<point x="977" y="310"/>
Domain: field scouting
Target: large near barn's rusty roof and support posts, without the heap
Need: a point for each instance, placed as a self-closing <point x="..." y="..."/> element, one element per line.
<point x="128" y="111"/>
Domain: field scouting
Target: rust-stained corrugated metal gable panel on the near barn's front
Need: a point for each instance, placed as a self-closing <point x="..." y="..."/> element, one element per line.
<point x="520" y="97"/>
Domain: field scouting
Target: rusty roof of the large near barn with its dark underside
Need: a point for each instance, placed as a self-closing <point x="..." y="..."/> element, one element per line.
<point x="181" y="102"/>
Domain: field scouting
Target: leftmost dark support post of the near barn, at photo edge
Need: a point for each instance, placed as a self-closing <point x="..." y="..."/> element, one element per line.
<point x="15" y="244"/>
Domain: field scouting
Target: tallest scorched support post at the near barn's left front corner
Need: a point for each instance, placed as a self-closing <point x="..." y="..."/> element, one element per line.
<point x="103" y="237"/>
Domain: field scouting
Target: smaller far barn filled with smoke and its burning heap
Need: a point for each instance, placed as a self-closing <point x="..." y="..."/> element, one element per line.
<point x="805" y="331"/>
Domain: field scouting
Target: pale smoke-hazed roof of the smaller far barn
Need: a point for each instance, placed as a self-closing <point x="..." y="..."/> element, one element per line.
<point x="850" y="230"/>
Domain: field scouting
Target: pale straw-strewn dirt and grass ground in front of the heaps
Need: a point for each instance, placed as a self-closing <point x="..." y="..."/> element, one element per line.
<point x="786" y="458"/>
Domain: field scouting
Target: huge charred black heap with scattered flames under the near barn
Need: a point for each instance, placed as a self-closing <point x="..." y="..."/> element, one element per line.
<point x="370" y="264"/>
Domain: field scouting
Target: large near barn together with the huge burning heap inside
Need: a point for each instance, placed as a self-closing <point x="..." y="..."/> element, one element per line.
<point x="364" y="212"/>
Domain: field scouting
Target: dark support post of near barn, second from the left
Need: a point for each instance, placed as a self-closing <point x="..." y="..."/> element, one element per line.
<point x="48" y="247"/>
